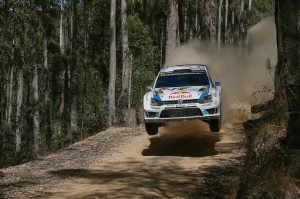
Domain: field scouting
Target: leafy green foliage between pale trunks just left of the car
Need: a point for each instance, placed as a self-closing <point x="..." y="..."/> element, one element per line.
<point x="145" y="58"/>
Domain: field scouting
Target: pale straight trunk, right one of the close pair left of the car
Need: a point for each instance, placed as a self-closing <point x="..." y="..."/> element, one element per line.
<point x="125" y="55"/>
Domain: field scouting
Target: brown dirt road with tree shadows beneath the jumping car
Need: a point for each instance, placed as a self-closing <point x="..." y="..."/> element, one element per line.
<point x="184" y="160"/>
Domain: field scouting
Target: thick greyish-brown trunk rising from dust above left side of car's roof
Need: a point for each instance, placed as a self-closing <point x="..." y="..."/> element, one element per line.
<point x="171" y="28"/>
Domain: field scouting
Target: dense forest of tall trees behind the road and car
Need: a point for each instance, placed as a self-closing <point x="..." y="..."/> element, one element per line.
<point x="70" y="68"/>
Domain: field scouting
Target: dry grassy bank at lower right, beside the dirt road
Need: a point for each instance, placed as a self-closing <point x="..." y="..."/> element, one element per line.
<point x="271" y="170"/>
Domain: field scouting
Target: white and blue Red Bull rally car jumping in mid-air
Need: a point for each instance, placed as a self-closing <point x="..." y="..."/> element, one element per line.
<point x="183" y="92"/>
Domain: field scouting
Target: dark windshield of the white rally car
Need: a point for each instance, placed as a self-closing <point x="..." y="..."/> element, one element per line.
<point x="180" y="80"/>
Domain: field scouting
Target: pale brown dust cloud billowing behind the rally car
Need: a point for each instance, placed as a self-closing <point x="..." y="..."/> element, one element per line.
<point x="244" y="76"/>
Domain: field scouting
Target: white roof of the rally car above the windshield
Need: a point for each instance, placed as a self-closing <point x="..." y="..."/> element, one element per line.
<point x="191" y="67"/>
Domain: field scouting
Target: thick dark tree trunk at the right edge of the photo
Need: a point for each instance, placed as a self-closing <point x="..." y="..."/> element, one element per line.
<point x="287" y="16"/>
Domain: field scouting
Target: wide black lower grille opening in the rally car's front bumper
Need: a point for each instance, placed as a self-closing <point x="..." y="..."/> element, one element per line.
<point x="185" y="112"/>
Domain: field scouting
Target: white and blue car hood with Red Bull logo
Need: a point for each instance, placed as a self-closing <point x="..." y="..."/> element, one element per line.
<point x="184" y="93"/>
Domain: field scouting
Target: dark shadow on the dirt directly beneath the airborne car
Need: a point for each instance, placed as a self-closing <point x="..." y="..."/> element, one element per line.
<point x="183" y="139"/>
